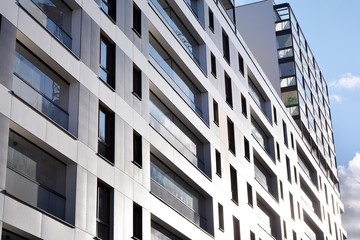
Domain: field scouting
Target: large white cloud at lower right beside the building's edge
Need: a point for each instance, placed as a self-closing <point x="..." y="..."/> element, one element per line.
<point x="350" y="189"/>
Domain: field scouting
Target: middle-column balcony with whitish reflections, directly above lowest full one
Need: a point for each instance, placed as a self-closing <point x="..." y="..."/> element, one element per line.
<point x="177" y="134"/>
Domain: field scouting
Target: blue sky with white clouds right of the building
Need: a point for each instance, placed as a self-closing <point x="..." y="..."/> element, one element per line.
<point x="332" y="30"/>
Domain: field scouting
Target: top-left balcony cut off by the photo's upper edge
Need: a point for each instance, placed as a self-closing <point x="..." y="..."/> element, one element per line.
<point x="53" y="15"/>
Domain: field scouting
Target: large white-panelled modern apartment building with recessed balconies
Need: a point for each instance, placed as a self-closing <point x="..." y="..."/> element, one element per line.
<point x="156" y="119"/>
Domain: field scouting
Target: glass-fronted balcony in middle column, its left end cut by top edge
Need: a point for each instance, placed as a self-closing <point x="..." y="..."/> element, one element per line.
<point x="178" y="27"/>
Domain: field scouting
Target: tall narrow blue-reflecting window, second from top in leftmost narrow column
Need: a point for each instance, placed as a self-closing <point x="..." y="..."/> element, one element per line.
<point x="107" y="61"/>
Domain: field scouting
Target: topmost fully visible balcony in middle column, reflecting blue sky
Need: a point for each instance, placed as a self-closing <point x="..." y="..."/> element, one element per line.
<point x="175" y="76"/>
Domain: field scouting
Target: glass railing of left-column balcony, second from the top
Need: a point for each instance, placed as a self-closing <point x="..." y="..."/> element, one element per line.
<point x="39" y="101"/>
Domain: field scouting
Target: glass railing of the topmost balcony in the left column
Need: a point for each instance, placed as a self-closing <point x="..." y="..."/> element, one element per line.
<point x="39" y="15"/>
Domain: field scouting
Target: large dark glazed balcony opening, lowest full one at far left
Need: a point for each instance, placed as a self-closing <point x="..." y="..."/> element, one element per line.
<point x="35" y="177"/>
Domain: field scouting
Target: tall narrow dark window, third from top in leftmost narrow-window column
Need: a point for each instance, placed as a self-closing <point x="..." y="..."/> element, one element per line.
<point x="106" y="133"/>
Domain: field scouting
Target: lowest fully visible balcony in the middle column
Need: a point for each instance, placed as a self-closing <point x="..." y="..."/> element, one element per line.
<point x="178" y="194"/>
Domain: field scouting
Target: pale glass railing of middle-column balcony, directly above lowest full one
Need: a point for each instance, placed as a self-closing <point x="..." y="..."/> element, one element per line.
<point x="164" y="124"/>
